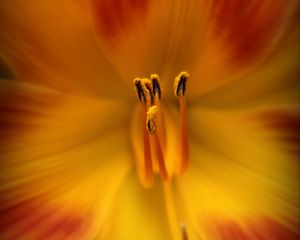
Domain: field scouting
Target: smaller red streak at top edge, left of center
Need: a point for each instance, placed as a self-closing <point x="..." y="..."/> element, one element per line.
<point x="114" y="16"/>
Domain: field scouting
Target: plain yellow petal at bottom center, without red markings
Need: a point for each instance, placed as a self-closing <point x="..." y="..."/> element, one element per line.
<point x="138" y="213"/>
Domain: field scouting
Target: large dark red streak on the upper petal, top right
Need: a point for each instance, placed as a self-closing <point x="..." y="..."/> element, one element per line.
<point x="247" y="26"/>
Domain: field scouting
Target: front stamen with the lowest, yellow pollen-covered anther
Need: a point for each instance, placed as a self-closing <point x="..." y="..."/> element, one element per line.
<point x="151" y="125"/>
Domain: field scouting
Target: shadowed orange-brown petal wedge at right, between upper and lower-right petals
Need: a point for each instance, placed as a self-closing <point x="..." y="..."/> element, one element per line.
<point x="273" y="82"/>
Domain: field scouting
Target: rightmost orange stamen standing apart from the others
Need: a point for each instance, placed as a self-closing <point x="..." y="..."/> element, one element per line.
<point x="179" y="88"/>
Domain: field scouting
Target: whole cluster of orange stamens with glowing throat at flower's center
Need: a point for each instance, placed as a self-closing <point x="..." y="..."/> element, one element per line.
<point x="154" y="130"/>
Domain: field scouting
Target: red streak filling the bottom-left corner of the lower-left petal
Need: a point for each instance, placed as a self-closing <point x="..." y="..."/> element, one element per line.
<point x="42" y="221"/>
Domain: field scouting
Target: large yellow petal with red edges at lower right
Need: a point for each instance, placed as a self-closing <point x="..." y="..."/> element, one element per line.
<point x="244" y="173"/>
